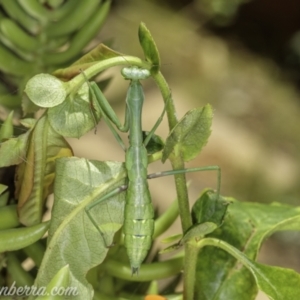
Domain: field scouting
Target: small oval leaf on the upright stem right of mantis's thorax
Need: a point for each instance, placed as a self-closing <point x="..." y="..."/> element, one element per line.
<point x="191" y="133"/>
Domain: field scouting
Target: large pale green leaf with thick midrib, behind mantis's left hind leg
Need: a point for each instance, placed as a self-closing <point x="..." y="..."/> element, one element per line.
<point x="72" y="236"/>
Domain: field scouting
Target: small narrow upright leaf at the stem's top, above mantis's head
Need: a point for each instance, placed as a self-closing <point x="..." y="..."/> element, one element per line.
<point x="149" y="47"/>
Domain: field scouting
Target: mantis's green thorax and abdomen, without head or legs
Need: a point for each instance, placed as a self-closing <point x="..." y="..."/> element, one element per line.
<point x="139" y="213"/>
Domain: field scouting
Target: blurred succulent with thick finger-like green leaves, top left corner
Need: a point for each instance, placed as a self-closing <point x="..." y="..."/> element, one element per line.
<point x="41" y="36"/>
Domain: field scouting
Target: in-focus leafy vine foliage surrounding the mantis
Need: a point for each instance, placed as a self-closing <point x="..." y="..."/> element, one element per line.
<point x="220" y="236"/>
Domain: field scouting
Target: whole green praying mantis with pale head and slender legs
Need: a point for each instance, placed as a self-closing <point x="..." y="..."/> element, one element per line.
<point x="138" y="224"/>
